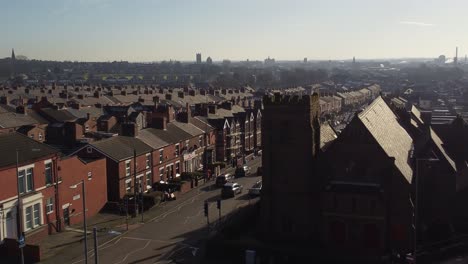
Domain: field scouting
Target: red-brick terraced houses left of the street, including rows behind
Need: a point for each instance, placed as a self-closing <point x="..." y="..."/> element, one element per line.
<point x="114" y="144"/>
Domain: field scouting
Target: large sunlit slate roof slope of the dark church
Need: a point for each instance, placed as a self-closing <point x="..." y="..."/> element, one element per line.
<point x="383" y="125"/>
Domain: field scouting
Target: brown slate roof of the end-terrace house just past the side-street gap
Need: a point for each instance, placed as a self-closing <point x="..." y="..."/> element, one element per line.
<point x="120" y="148"/>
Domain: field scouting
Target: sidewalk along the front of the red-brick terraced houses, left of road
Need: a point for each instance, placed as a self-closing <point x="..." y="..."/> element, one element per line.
<point x="109" y="226"/>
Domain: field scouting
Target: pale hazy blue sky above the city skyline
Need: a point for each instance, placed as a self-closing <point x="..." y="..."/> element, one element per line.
<point x="156" y="30"/>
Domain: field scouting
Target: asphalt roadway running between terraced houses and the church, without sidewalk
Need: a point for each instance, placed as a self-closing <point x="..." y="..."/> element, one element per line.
<point x="176" y="233"/>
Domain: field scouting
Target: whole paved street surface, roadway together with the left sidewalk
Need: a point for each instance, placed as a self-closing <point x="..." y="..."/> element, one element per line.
<point x="173" y="232"/>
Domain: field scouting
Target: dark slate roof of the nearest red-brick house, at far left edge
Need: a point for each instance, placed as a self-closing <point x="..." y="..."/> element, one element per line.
<point x="29" y="150"/>
